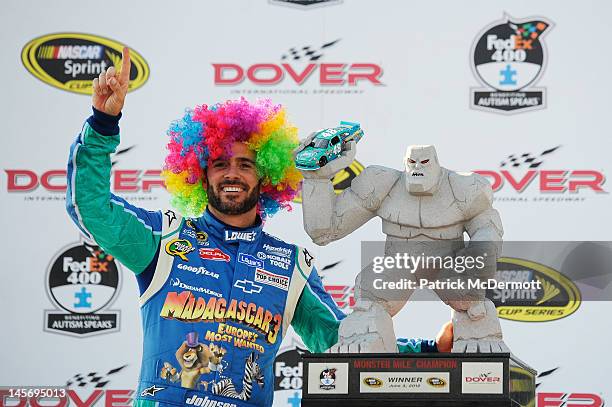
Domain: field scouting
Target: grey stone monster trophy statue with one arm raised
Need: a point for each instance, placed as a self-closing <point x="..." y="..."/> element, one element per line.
<point x="425" y="208"/>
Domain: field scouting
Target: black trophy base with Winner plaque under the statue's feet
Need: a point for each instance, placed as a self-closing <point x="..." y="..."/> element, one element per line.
<point x="420" y="379"/>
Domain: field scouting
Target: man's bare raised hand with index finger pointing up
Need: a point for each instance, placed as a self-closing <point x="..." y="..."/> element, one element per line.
<point x="110" y="88"/>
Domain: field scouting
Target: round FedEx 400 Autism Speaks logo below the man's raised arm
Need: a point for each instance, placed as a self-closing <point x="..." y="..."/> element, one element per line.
<point x="82" y="281"/>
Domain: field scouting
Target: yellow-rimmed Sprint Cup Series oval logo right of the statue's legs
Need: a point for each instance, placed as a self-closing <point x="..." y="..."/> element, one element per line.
<point x="557" y="298"/>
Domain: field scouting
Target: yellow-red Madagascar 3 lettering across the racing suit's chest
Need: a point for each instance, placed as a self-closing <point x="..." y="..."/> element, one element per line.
<point x="186" y="307"/>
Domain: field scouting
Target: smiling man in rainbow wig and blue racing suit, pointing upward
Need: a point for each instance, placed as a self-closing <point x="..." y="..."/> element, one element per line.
<point x="217" y="293"/>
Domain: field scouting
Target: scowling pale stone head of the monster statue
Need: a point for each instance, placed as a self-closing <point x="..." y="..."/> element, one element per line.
<point x="422" y="169"/>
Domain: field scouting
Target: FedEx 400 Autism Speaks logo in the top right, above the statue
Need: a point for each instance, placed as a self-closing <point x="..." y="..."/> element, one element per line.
<point x="508" y="57"/>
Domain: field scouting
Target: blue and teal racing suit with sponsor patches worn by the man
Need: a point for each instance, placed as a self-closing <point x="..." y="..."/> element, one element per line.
<point x="216" y="301"/>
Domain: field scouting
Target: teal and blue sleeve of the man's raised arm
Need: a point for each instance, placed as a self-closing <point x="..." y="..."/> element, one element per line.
<point x="131" y="234"/>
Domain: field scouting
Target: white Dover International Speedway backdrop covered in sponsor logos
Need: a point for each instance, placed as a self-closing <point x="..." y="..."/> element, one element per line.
<point x="532" y="115"/>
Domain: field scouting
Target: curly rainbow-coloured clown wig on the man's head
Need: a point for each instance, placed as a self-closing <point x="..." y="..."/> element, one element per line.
<point x="207" y="133"/>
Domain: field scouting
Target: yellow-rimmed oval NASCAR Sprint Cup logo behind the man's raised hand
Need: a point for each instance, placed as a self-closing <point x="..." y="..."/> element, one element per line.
<point x="70" y="61"/>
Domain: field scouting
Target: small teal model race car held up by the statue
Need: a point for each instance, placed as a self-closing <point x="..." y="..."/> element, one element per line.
<point x="326" y="145"/>
